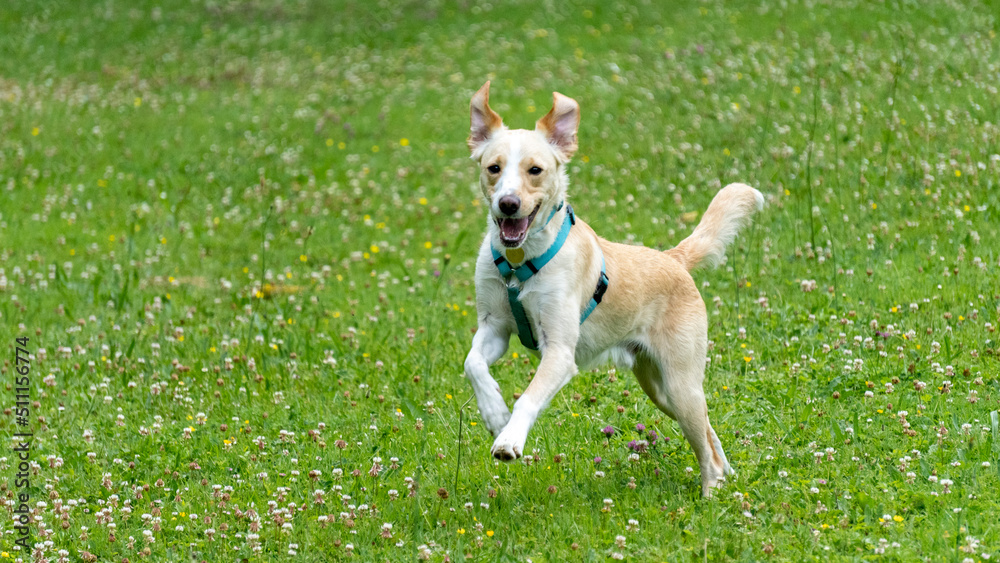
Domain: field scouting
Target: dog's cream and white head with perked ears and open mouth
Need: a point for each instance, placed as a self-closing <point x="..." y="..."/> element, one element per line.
<point x="522" y="172"/>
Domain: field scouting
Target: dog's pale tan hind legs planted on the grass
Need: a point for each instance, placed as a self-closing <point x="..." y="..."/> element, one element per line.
<point x="671" y="372"/>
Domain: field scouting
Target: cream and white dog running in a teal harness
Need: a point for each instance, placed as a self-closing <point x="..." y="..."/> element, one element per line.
<point x="544" y="275"/>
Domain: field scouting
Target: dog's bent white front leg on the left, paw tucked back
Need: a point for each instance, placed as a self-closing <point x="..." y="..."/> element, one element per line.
<point x="489" y="343"/>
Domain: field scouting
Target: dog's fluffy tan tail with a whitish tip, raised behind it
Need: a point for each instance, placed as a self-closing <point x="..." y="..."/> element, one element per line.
<point x="729" y="212"/>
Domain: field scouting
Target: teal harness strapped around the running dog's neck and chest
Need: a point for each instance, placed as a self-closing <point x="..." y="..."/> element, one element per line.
<point x="531" y="267"/>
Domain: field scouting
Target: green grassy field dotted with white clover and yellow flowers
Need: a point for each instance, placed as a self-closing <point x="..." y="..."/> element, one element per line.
<point x="240" y="237"/>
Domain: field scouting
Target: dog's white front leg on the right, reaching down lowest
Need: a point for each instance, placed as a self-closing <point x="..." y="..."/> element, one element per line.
<point x="557" y="367"/>
